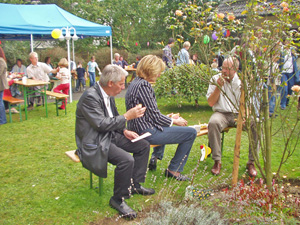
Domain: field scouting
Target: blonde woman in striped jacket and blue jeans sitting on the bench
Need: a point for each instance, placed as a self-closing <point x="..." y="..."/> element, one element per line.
<point x="160" y="126"/>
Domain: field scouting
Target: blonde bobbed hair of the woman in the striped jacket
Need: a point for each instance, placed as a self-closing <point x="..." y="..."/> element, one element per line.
<point x="149" y="67"/>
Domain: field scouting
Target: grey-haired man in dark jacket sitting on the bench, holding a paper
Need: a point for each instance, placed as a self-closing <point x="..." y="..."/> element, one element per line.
<point x="101" y="137"/>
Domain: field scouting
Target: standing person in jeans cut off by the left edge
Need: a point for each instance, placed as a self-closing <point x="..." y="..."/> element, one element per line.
<point x="3" y="85"/>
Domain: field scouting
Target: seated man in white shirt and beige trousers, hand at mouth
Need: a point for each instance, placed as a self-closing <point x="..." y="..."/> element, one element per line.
<point x="225" y="111"/>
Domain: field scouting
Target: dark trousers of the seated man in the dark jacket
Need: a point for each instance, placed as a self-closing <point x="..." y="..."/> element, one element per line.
<point x="128" y="166"/>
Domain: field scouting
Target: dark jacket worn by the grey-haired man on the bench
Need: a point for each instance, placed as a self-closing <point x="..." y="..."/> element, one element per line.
<point x="94" y="130"/>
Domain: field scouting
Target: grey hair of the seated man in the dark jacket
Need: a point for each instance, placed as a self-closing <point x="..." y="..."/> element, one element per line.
<point x="112" y="73"/>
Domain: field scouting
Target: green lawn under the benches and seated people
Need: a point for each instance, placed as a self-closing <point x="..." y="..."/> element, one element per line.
<point x="40" y="185"/>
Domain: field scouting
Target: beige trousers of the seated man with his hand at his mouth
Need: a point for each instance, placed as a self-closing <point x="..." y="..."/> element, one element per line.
<point x="218" y="122"/>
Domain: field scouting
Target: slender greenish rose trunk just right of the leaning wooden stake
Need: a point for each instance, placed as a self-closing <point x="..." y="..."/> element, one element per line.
<point x="267" y="128"/>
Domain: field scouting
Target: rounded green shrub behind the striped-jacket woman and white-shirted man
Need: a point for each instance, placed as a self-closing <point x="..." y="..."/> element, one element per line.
<point x="187" y="82"/>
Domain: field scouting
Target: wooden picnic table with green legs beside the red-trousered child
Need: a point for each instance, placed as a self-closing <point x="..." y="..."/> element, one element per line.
<point x="27" y="92"/>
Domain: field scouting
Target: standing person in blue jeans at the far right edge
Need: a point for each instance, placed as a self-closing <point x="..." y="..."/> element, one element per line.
<point x="289" y="71"/>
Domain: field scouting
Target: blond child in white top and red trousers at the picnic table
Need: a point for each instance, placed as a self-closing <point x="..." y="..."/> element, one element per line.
<point x="64" y="76"/>
